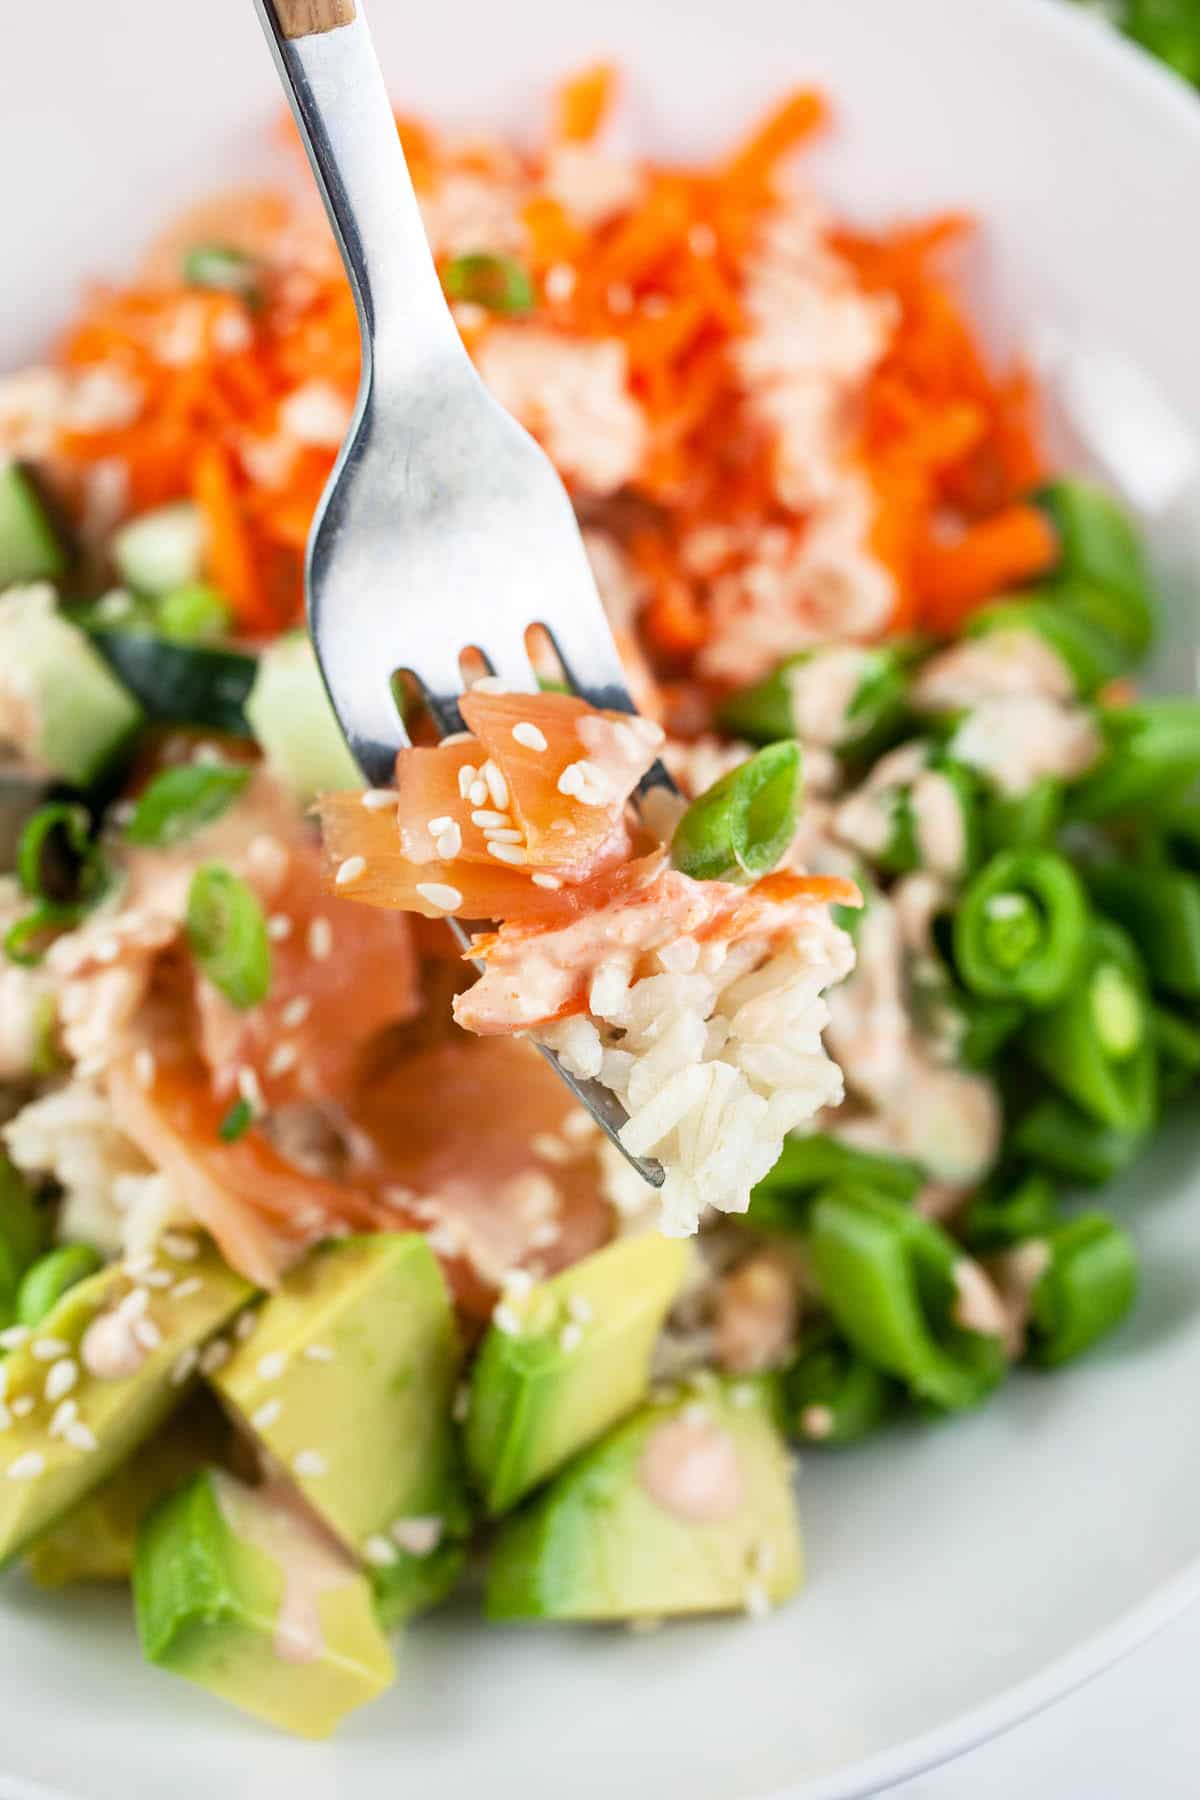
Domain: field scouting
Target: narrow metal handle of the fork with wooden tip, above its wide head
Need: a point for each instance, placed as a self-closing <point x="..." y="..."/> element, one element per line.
<point x="332" y="76"/>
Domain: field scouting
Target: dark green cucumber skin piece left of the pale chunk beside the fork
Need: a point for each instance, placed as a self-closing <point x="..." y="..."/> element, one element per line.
<point x="183" y="685"/>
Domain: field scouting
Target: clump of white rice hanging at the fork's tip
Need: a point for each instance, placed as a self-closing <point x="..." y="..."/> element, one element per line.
<point x="715" y="1066"/>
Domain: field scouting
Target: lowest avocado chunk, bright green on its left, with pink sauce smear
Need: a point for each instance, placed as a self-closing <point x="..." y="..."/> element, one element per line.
<point x="242" y="1594"/>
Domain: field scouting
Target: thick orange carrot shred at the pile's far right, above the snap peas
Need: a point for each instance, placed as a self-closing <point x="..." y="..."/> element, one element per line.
<point x="1003" y="552"/>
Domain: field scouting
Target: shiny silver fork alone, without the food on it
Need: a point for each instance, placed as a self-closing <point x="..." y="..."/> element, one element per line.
<point x="443" y="526"/>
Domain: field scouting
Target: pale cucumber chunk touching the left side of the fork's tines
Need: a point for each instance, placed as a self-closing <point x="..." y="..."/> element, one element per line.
<point x="294" y="723"/>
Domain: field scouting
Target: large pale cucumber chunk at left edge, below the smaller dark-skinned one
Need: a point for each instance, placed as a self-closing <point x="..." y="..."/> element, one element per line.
<point x="60" y="705"/>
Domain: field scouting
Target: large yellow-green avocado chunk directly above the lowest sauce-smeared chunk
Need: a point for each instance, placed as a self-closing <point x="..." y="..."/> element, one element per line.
<point x="348" y="1381"/>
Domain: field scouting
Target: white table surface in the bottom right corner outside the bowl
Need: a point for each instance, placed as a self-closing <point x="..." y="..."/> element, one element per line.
<point x="1131" y="1732"/>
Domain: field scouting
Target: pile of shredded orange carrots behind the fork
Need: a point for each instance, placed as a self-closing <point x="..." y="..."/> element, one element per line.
<point x="945" y="442"/>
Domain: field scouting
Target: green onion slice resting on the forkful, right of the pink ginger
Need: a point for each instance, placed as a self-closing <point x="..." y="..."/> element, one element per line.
<point x="744" y="823"/>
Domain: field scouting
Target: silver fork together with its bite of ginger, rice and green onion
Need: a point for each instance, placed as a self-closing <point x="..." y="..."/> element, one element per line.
<point x="661" y="958"/>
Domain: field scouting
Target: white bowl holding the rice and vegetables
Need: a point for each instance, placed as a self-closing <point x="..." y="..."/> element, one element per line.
<point x="962" y="1576"/>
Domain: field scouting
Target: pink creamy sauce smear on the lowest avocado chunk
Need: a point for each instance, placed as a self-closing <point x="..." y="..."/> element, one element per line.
<point x="312" y="1563"/>
